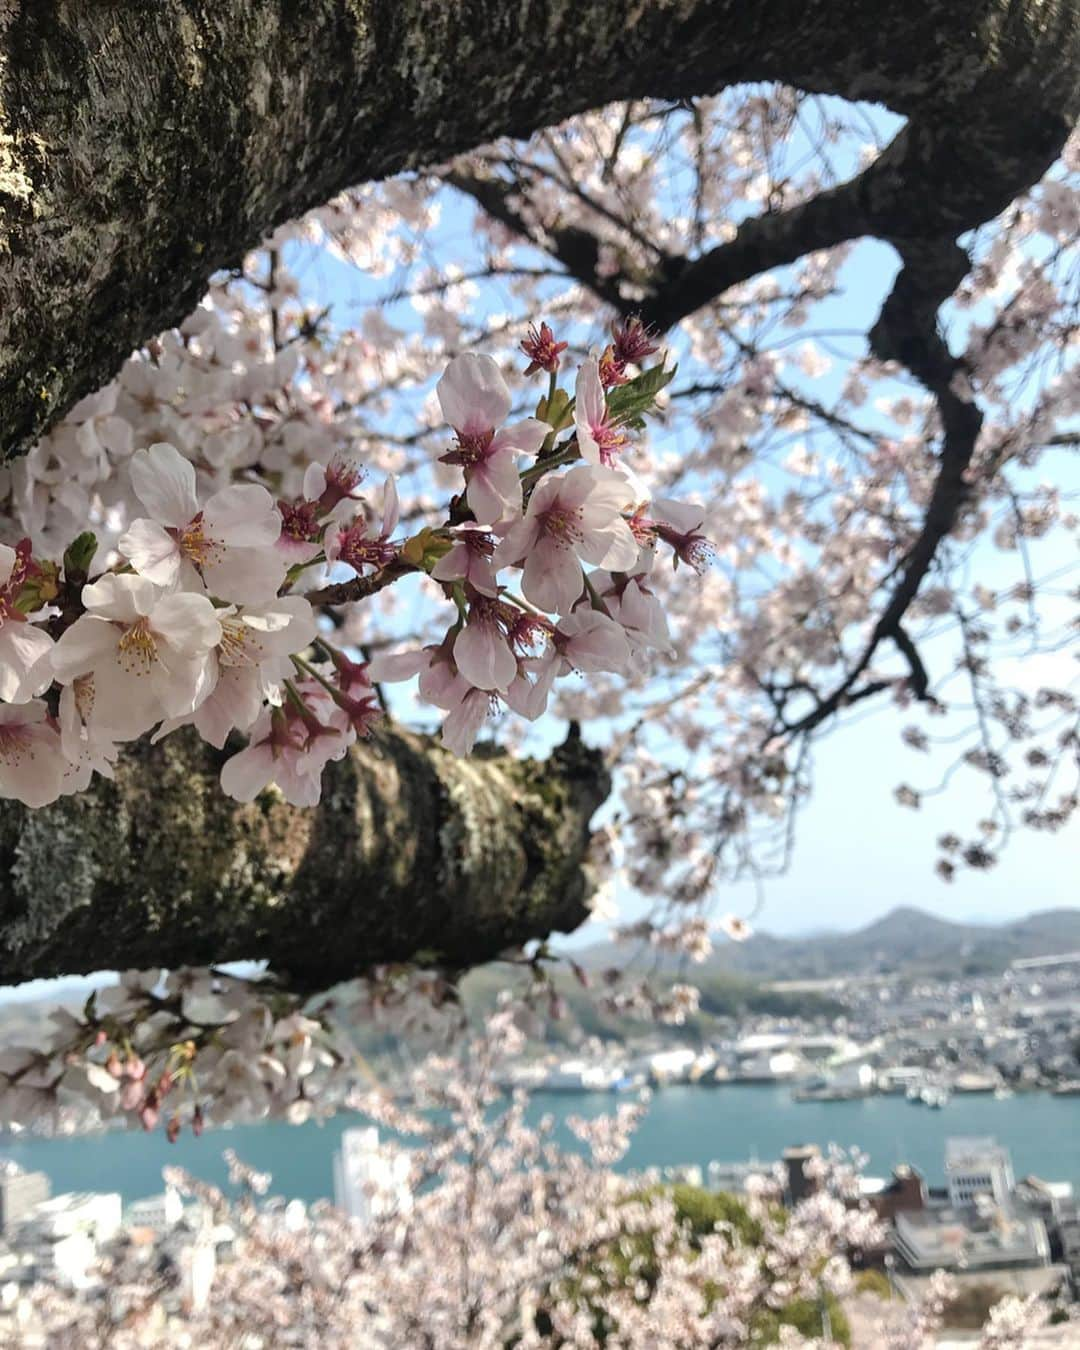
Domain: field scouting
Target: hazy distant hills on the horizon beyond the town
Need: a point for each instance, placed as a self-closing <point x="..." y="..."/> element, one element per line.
<point x="905" y="940"/>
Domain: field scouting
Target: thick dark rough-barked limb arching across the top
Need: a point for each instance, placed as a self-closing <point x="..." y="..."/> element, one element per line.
<point x="146" y="145"/>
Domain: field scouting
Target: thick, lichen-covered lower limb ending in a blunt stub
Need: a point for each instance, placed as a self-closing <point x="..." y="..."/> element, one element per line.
<point x="412" y="855"/>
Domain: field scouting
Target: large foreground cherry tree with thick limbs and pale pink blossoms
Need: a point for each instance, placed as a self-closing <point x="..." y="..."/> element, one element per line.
<point x="558" y="425"/>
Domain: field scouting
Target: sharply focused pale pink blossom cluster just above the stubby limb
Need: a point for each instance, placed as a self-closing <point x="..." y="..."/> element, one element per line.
<point x="206" y="612"/>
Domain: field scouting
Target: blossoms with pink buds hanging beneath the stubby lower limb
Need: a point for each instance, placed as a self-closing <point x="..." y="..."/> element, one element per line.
<point x="180" y="1051"/>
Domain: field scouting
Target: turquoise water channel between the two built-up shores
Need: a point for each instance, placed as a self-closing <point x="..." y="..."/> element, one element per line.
<point x="682" y="1125"/>
